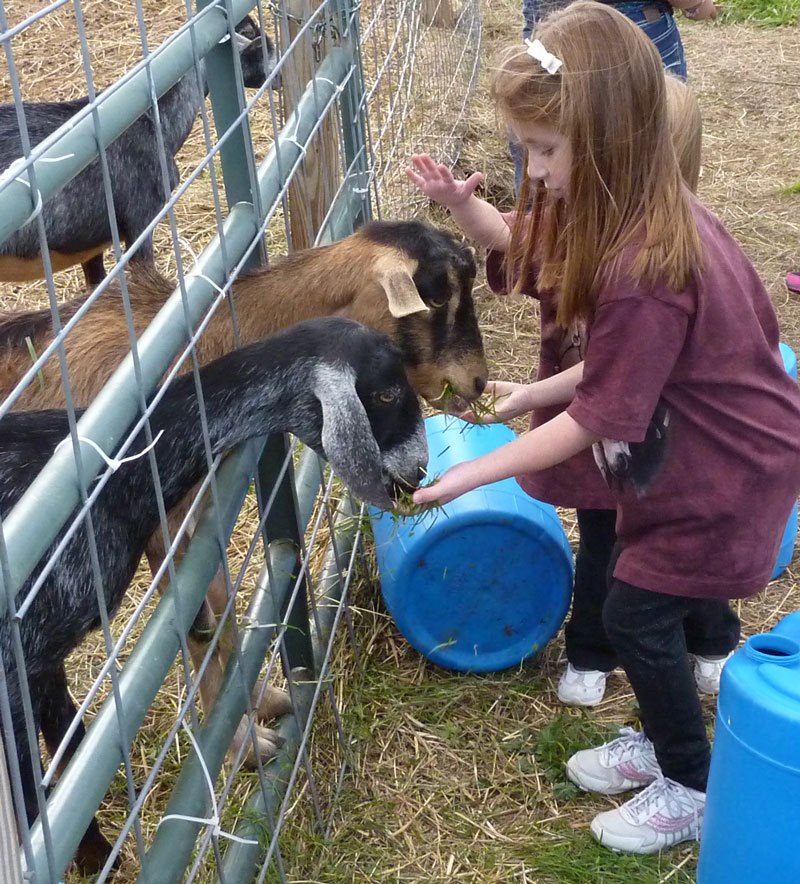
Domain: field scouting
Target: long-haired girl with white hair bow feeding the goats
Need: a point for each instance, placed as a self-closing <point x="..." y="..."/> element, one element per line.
<point x="681" y="392"/>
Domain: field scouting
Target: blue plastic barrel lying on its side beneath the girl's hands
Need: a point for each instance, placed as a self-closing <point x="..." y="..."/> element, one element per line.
<point x="485" y="582"/>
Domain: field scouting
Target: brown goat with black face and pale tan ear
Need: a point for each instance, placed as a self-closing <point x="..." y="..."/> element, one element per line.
<point x="407" y="279"/>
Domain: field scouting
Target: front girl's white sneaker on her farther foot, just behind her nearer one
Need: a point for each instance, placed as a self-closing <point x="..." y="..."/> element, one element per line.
<point x="628" y="762"/>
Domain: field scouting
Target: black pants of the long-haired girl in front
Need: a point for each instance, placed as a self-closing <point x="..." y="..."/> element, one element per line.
<point x="648" y="632"/>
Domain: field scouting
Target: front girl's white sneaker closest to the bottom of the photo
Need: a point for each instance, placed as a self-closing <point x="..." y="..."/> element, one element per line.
<point x="665" y="813"/>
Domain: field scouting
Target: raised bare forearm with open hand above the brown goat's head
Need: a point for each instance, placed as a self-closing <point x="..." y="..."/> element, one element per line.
<point x="480" y="221"/>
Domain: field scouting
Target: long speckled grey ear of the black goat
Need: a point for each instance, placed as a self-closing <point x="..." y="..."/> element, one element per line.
<point x="347" y="437"/>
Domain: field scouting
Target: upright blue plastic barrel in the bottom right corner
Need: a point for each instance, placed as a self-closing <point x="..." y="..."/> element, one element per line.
<point x="752" y="815"/>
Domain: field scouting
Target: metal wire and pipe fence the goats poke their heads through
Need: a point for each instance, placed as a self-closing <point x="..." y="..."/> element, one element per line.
<point x="318" y="145"/>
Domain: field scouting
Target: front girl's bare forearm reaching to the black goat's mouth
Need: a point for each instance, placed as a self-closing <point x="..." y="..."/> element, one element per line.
<point x="553" y="442"/>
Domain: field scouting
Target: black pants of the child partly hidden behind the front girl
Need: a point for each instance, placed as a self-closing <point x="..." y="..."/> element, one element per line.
<point x="711" y="630"/>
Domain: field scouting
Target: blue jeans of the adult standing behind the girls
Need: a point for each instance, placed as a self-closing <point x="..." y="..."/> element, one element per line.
<point x="654" y="17"/>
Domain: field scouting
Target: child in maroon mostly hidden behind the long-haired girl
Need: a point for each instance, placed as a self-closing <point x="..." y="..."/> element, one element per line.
<point x="578" y="483"/>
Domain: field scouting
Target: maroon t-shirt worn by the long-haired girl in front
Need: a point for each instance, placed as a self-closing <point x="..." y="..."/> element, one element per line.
<point x="706" y="466"/>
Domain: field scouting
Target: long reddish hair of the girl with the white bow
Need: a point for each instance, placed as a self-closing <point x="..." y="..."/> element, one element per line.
<point x="609" y="100"/>
